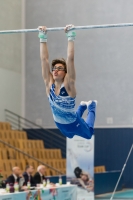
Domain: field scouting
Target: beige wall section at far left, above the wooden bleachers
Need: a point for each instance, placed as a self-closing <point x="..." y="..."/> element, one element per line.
<point x="10" y="58"/>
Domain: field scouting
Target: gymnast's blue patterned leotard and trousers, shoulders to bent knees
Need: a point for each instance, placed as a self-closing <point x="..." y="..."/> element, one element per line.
<point x="65" y="116"/>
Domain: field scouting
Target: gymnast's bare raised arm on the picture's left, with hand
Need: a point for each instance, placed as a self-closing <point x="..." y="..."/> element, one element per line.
<point x="44" y="56"/>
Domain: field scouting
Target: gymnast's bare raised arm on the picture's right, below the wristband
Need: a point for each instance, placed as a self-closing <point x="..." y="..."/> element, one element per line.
<point x="70" y="77"/>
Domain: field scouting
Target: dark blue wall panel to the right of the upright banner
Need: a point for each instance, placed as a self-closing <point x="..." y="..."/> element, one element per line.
<point x="112" y="146"/>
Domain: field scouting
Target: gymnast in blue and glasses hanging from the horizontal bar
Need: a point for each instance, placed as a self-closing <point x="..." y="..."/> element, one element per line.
<point x="61" y="91"/>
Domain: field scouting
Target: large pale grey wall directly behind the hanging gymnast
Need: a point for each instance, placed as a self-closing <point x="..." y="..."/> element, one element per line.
<point x="103" y="57"/>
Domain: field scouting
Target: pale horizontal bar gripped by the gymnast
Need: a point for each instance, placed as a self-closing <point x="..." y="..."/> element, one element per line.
<point x="62" y="28"/>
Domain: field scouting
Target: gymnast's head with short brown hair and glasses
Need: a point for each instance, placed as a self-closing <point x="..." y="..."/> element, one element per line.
<point x="59" y="69"/>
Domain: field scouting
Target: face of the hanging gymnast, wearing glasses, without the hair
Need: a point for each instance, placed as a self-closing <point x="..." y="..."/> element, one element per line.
<point x="58" y="72"/>
